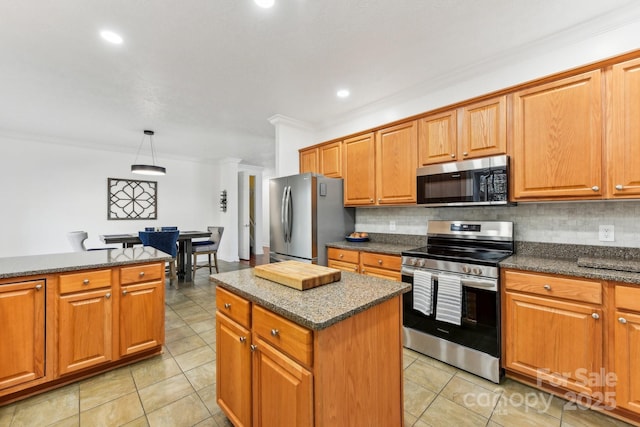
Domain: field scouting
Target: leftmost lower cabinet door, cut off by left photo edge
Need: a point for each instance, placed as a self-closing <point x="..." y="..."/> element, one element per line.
<point x="22" y="332"/>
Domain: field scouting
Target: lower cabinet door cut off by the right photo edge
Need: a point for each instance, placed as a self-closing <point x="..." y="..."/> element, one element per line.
<point x="627" y="360"/>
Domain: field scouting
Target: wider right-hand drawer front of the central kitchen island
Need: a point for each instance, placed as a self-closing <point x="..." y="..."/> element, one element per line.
<point x="289" y="337"/>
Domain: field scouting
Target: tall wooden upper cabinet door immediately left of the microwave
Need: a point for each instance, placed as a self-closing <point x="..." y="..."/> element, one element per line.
<point x="396" y="163"/>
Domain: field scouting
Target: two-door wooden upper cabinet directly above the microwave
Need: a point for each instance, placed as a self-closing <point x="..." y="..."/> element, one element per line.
<point x="475" y="130"/>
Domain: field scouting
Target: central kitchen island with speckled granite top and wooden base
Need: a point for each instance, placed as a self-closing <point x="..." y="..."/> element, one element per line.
<point x="326" y="356"/>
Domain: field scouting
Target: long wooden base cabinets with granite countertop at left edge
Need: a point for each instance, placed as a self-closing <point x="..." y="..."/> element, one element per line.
<point x="72" y="315"/>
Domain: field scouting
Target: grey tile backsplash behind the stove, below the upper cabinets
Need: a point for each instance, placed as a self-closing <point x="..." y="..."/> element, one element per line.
<point x="558" y="222"/>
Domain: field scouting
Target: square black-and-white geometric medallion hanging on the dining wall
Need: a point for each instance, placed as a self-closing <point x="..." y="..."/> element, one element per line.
<point x="132" y="199"/>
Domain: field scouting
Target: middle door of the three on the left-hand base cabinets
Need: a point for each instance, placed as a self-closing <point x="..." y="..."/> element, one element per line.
<point x="84" y="330"/>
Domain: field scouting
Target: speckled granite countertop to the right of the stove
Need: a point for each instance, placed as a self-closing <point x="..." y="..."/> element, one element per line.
<point x="610" y="264"/>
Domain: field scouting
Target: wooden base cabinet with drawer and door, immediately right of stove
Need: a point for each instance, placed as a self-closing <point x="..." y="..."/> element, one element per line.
<point x="553" y="329"/>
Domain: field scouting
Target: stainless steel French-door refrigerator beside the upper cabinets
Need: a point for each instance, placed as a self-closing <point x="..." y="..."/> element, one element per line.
<point x="306" y="212"/>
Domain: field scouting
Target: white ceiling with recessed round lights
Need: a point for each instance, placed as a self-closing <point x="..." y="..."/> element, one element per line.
<point x="207" y="74"/>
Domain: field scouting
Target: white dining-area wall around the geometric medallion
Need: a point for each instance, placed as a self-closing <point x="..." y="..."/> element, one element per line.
<point x="49" y="189"/>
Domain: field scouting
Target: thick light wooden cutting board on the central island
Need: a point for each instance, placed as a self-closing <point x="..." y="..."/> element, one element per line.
<point x="298" y="275"/>
